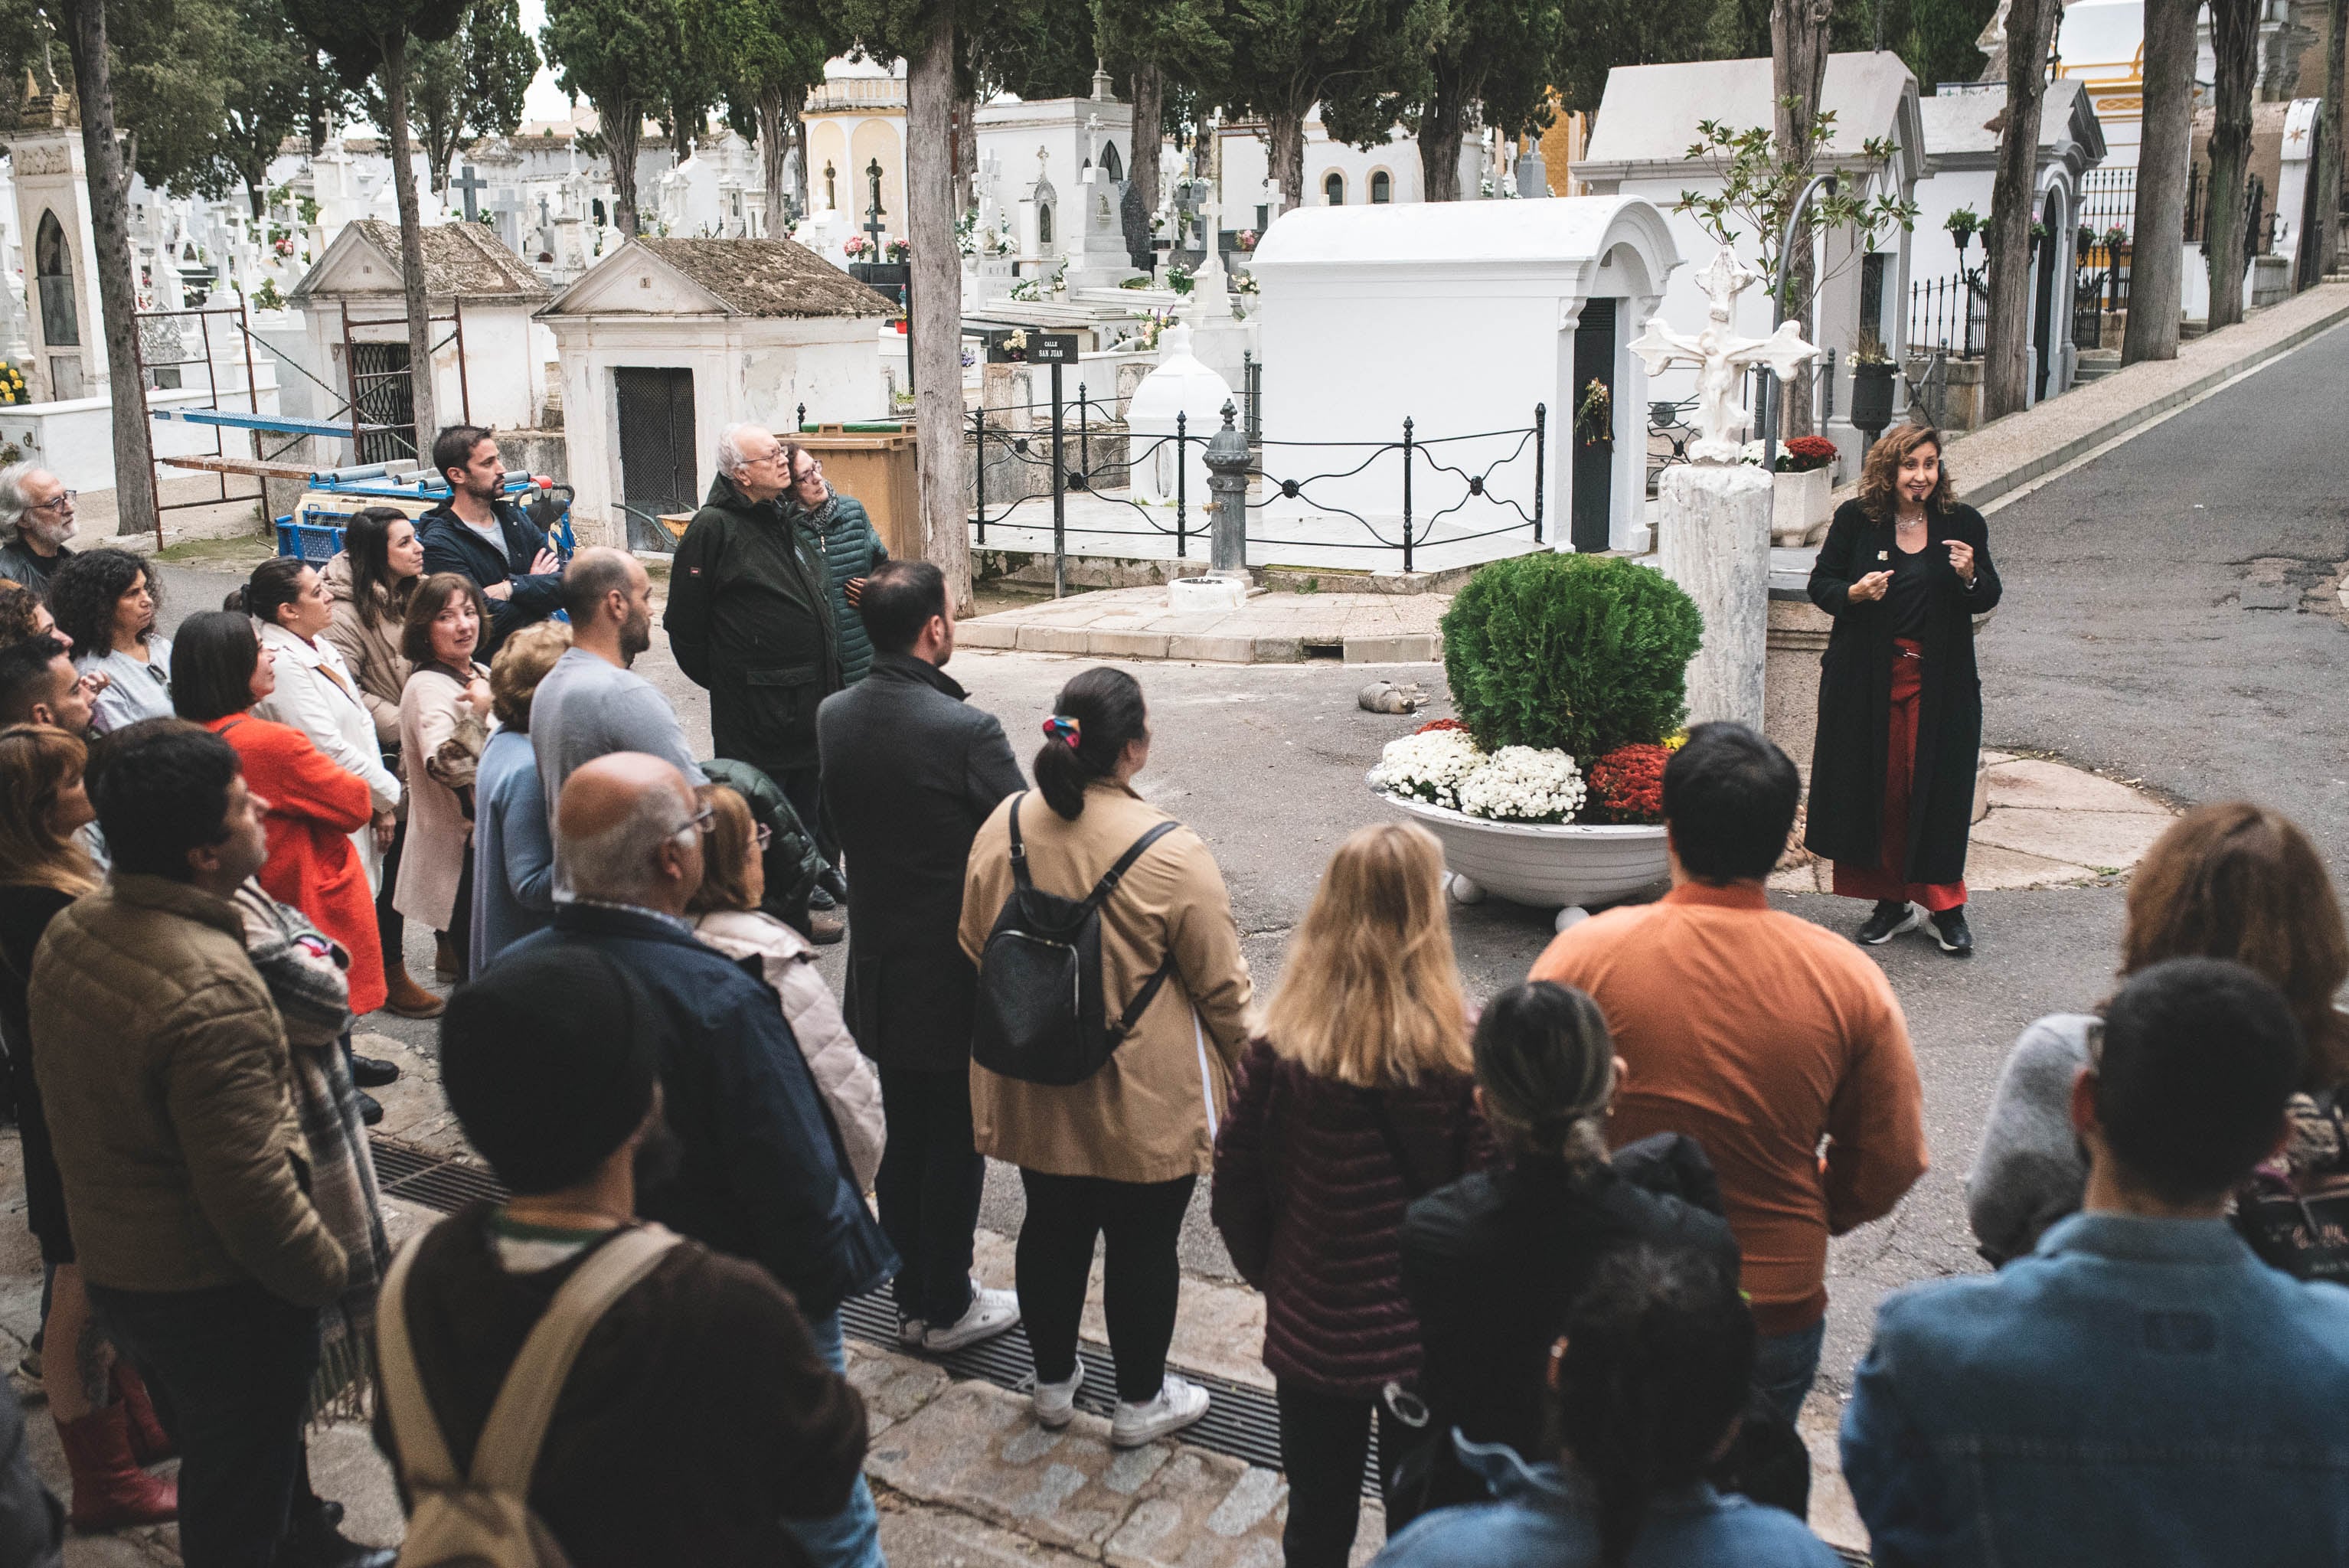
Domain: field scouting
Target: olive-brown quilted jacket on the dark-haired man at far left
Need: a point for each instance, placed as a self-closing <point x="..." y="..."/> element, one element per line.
<point x="163" y="1074"/>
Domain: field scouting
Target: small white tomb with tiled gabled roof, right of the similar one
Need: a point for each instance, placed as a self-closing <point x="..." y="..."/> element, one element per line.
<point x="668" y="342"/>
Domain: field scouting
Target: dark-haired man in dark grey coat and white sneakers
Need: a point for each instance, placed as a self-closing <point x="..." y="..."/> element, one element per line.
<point x="910" y="773"/>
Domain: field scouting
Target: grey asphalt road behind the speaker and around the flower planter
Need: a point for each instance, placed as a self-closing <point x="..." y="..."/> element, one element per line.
<point x="2132" y="640"/>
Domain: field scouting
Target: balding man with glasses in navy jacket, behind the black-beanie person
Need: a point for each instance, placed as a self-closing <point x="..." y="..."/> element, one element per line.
<point x="760" y="1168"/>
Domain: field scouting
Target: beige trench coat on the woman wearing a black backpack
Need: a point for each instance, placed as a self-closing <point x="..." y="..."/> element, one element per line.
<point x="1147" y="1114"/>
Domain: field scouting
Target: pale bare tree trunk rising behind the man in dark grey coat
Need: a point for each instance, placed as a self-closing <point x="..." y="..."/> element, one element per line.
<point x="938" y="309"/>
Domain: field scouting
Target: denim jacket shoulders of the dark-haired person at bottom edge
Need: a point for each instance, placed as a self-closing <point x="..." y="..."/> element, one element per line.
<point x="1549" y="1518"/>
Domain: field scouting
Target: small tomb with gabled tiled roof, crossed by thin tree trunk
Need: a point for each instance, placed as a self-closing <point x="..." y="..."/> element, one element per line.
<point x="471" y="276"/>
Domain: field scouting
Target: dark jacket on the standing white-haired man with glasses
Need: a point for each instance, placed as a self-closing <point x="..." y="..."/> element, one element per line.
<point x="751" y="619"/>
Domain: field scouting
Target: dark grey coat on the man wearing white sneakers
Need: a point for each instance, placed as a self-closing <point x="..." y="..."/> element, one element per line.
<point x="910" y="776"/>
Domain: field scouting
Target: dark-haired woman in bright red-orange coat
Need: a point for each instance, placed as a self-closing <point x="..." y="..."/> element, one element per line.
<point x="314" y="806"/>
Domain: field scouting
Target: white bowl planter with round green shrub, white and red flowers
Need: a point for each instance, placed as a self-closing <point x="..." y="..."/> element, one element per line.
<point x="1568" y="675"/>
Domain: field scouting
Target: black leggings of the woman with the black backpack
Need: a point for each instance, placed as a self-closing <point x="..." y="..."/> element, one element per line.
<point x="1065" y="1215"/>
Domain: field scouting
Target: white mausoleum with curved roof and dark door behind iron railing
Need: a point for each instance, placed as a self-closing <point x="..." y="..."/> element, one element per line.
<point x="1465" y="318"/>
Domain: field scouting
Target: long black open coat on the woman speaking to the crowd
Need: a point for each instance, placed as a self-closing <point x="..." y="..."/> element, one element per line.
<point x="1855" y="696"/>
